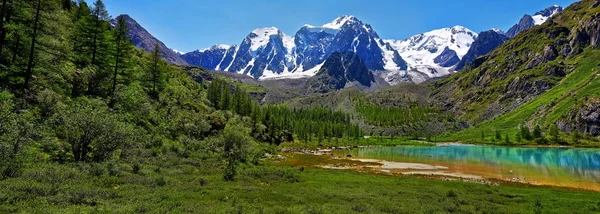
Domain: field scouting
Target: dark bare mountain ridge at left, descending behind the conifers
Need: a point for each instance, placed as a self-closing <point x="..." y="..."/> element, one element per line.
<point x="142" y="39"/>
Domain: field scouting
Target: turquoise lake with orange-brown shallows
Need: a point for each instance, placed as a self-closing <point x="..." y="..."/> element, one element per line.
<point x="568" y="167"/>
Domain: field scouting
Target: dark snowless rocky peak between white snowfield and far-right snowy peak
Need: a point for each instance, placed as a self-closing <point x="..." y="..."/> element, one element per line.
<point x="485" y="43"/>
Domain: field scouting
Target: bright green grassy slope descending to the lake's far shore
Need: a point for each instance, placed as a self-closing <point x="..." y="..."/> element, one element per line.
<point x="509" y="122"/>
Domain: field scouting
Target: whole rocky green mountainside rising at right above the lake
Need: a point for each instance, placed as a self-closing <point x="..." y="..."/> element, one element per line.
<point x="537" y="78"/>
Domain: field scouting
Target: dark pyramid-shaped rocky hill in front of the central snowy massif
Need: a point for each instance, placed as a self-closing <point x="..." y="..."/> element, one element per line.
<point x="338" y="70"/>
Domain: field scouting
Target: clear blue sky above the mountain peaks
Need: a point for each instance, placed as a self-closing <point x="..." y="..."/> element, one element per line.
<point x="187" y="25"/>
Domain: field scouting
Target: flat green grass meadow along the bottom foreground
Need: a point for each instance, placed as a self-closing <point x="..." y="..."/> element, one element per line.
<point x="178" y="185"/>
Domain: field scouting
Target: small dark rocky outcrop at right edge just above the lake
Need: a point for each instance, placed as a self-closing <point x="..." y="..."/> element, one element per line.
<point x="584" y="118"/>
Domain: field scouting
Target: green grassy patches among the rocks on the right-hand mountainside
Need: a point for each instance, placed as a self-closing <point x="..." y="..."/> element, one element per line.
<point x="544" y="109"/>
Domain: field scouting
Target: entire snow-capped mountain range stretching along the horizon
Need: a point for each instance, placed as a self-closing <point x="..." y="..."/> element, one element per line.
<point x="268" y="53"/>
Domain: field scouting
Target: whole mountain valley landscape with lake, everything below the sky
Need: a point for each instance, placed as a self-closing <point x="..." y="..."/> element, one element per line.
<point x="97" y="115"/>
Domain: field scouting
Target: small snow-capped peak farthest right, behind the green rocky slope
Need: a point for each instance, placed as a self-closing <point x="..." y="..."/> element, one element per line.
<point x="529" y="21"/>
